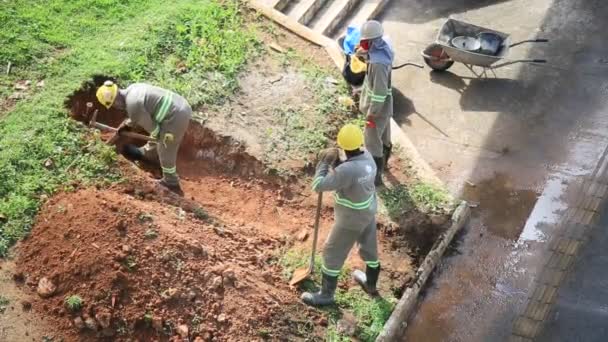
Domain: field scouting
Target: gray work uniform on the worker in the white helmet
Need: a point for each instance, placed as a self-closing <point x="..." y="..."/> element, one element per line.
<point x="377" y="100"/>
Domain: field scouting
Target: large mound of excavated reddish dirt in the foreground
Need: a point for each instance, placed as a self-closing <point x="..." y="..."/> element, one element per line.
<point x="148" y="270"/>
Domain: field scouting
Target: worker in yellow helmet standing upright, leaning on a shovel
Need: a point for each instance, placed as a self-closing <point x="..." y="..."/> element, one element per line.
<point x="354" y="214"/>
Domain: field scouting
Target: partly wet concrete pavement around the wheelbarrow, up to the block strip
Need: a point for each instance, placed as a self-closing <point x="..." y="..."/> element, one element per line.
<point x="516" y="144"/>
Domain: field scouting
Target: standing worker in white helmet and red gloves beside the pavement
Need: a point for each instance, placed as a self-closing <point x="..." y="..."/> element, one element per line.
<point x="376" y="98"/>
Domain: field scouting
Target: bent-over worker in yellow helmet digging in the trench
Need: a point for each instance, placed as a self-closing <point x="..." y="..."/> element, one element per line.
<point x="162" y="113"/>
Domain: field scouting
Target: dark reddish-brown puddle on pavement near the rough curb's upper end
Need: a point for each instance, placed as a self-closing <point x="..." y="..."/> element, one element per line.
<point x="504" y="208"/>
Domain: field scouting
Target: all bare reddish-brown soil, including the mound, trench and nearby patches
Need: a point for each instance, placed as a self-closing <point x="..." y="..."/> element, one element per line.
<point x="148" y="264"/>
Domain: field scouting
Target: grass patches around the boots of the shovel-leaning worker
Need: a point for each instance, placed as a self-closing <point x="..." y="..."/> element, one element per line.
<point x="371" y="313"/>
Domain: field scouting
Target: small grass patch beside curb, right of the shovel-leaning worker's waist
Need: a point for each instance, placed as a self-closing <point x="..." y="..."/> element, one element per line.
<point x="420" y="196"/>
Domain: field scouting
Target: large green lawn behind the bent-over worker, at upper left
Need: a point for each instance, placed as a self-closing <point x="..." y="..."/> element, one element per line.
<point x="195" y="48"/>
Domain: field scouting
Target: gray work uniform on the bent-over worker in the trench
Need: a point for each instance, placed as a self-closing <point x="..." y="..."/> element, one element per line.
<point x="162" y="113"/>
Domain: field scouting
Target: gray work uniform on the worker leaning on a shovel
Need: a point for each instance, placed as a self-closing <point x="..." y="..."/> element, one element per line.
<point x="354" y="212"/>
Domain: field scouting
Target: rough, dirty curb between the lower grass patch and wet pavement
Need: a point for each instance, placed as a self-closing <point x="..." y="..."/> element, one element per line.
<point x="397" y="322"/>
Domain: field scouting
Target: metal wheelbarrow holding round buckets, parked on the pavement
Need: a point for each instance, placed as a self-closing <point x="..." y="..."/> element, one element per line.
<point x="472" y="46"/>
